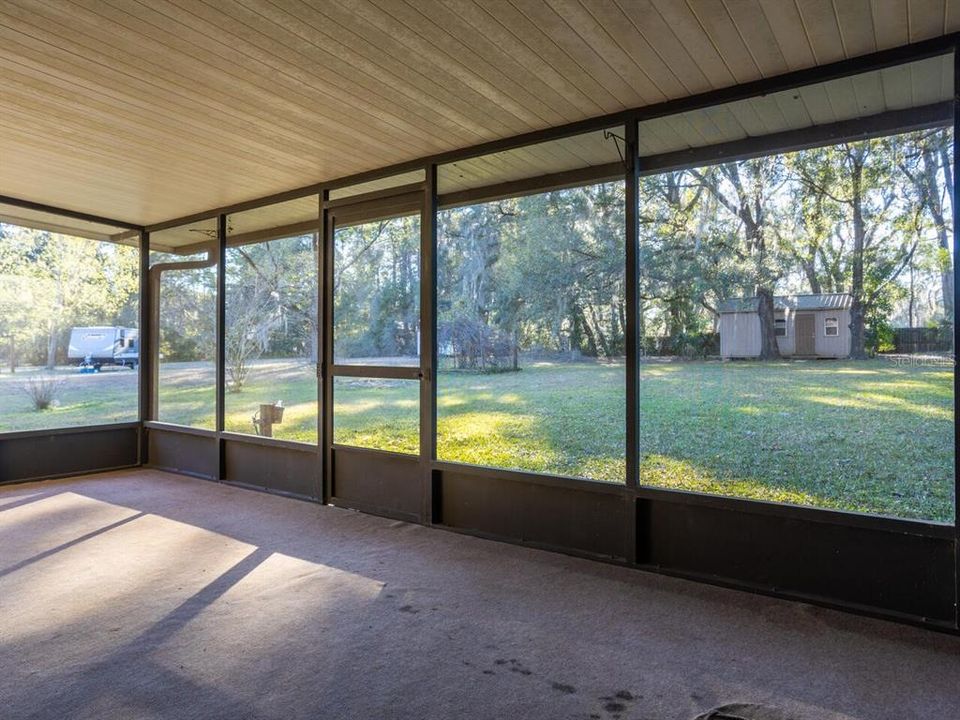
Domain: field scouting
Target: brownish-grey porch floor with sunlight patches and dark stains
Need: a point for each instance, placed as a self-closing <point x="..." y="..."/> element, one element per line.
<point x="141" y="594"/>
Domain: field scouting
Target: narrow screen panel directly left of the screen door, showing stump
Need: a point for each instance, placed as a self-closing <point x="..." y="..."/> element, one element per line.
<point x="271" y="312"/>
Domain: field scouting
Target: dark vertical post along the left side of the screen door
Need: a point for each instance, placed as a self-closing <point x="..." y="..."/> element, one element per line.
<point x="324" y="412"/>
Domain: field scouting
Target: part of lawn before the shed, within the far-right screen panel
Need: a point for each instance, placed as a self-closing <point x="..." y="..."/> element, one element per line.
<point x="866" y="436"/>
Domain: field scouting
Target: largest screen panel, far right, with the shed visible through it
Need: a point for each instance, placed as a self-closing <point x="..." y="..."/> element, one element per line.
<point x="797" y="282"/>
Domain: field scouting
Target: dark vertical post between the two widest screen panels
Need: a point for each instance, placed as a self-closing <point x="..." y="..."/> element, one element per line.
<point x="632" y="242"/>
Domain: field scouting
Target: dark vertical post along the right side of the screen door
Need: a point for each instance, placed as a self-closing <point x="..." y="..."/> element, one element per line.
<point x="428" y="345"/>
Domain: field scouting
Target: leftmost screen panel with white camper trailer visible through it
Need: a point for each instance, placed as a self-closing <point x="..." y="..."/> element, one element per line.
<point x="69" y="323"/>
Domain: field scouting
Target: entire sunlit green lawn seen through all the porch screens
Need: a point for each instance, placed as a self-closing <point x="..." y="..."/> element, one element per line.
<point x="872" y="436"/>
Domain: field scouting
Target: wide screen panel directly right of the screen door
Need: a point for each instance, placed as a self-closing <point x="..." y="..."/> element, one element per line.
<point x="531" y="333"/>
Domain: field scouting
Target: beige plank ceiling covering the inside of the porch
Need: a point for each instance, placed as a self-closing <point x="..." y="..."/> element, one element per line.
<point x="145" y="111"/>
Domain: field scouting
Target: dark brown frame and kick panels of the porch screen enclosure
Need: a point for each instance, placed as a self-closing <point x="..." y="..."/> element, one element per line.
<point x="658" y="529"/>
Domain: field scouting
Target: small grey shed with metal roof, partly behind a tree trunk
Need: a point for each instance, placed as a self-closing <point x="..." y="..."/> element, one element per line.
<point x="806" y="325"/>
